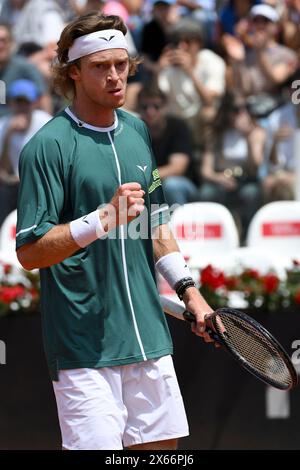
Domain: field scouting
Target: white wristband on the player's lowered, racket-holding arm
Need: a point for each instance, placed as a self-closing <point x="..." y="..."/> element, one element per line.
<point x="173" y="267"/>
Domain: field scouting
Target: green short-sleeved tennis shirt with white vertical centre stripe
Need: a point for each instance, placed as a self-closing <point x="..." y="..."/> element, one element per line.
<point x="100" y="307"/>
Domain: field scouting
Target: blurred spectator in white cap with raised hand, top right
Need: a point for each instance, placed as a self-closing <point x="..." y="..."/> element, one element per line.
<point x="262" y="75"/>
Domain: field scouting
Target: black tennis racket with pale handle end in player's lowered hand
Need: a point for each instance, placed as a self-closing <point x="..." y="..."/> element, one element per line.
<point x="247" y="341"/>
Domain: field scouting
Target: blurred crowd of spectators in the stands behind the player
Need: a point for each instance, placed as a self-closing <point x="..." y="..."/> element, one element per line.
<point x="217" y="87"/>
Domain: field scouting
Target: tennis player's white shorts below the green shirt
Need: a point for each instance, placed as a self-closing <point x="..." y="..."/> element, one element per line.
<point x="112" y="407"/>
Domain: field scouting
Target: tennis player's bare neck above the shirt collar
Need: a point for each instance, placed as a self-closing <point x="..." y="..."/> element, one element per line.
<point x="93" y="114"/>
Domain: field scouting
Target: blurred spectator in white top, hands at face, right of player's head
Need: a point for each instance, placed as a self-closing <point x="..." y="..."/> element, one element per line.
<point x="193" y="79"/>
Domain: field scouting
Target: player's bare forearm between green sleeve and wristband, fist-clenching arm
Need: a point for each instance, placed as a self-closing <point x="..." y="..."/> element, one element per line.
<point x="54" y="247"/>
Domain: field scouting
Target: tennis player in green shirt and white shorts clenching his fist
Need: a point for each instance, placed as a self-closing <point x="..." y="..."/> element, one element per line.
<point x="86" y="178"/>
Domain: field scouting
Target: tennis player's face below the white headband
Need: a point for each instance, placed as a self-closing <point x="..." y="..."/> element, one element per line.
<point x="102" y="78"/>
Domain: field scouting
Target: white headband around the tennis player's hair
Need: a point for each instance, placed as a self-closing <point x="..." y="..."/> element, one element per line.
<point x="98" y="41"/>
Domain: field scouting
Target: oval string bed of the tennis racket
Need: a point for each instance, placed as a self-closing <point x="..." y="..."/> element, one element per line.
<point x="253" y="348"/>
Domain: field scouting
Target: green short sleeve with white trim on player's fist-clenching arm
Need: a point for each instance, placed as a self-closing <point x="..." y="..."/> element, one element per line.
<point x="41" y="191"/>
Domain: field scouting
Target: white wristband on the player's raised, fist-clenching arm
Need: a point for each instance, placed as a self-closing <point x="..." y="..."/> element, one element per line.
<point x="87" y="229"/>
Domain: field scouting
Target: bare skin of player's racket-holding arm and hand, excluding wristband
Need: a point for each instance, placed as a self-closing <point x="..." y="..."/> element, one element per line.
<point x="164" y="243"/>
